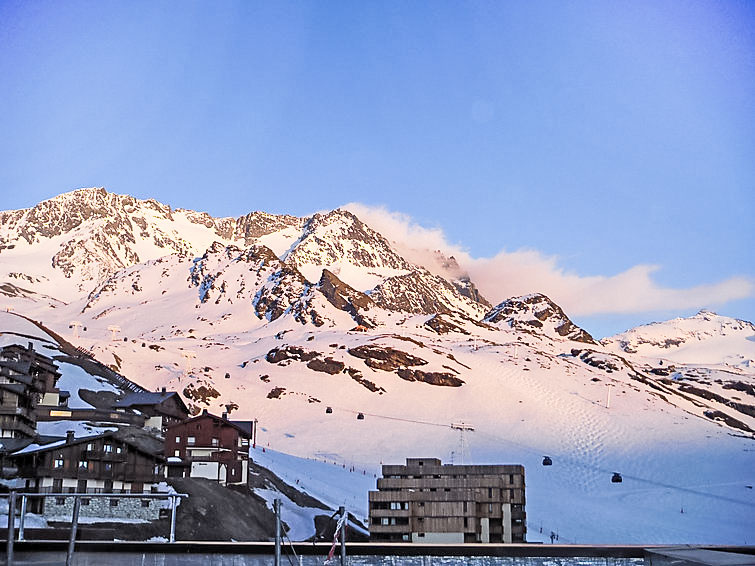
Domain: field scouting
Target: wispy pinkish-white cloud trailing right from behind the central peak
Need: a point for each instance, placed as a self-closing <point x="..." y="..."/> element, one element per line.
<point x="509" y="274"/>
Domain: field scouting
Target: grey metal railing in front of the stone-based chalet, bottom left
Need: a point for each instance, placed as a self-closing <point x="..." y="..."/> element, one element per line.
<point x="77" y="497"/>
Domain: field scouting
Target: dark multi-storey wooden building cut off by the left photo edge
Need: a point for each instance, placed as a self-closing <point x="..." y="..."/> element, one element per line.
<point x="26" y="376"/>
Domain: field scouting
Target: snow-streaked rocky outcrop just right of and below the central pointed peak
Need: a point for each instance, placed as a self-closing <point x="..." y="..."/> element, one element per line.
<point x="421" y="292"/>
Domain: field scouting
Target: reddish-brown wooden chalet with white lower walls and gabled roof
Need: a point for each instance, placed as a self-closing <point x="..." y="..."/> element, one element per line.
<point x="208" y="446"/>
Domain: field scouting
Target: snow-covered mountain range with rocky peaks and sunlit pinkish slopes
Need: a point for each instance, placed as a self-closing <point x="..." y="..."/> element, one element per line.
<point x="278" y="317"/>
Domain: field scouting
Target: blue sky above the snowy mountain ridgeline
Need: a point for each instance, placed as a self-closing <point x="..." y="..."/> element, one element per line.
<point x="601" y="136"/>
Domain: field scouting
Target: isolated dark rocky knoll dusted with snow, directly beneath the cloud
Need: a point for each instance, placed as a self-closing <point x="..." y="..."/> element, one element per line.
<point x="537" y="311"/>
